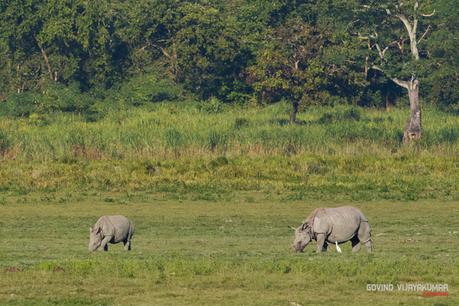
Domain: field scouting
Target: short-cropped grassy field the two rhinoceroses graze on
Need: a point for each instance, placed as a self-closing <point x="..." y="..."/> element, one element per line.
<point x="232" y="252"/>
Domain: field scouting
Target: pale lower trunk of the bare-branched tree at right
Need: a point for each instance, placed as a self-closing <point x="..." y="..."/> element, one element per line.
<point x="413" y="127"/>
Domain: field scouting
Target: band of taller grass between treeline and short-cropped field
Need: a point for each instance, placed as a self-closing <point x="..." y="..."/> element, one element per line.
<point x="196" y="151"/>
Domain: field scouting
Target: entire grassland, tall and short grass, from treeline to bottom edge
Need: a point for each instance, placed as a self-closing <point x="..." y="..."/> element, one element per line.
<point x="212" y="191"/>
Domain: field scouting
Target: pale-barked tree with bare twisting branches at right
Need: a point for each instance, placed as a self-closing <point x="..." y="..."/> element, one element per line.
<point x="395" y="23"/>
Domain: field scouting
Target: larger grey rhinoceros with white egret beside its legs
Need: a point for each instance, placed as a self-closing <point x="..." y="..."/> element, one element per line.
<point x="334" y="225"/>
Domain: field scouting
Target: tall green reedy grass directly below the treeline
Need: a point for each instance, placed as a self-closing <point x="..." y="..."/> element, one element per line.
<point x="192" y="131"/>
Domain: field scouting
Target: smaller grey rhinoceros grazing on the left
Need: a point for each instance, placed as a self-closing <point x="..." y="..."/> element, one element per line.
<point x="113" y="229"/>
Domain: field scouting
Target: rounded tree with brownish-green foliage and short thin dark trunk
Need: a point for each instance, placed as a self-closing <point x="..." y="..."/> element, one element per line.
<point x="288" y="66"/>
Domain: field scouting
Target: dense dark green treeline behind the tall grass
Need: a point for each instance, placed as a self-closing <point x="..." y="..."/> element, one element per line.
<point x="79" y="55"/>
